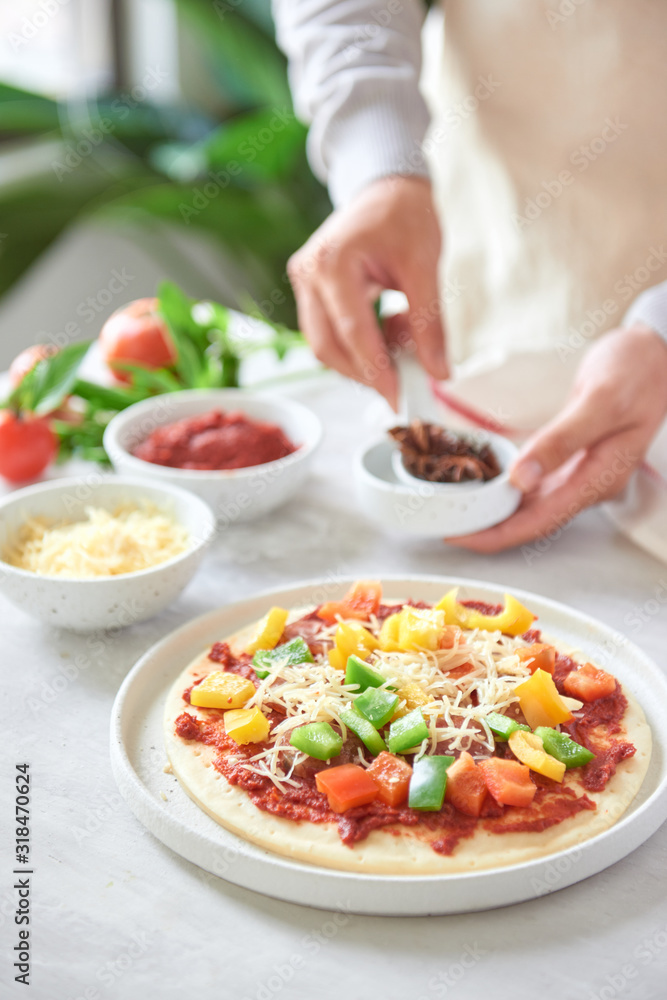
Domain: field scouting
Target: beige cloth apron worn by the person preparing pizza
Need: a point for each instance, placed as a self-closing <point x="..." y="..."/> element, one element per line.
<point x="549" y="154"/>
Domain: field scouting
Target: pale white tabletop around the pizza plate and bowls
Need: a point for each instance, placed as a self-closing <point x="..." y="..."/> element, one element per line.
<point x="115" y="914"/>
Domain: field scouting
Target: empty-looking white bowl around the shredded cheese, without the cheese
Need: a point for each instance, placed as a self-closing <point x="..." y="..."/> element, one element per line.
<point x="85" y="605"/>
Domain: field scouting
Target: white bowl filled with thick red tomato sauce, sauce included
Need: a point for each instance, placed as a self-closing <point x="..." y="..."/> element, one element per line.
<point x="143" y="438"/>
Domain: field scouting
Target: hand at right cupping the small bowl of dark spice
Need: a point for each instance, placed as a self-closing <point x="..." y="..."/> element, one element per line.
<point x="590" y="450"/>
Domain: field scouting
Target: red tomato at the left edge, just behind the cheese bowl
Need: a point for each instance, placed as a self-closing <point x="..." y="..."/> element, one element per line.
<point x="27" y="446"/>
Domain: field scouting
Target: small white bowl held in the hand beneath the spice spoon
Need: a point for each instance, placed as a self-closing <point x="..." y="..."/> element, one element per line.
<point x="389" y="494"/>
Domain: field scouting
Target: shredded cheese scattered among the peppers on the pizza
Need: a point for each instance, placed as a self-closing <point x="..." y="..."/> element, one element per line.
<point x="317" y="692"/>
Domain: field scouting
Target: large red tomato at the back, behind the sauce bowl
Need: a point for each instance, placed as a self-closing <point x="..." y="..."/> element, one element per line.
<point x="137" y="334"/>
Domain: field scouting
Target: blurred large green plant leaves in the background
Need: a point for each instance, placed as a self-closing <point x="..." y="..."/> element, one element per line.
<point x="242" y="178"/>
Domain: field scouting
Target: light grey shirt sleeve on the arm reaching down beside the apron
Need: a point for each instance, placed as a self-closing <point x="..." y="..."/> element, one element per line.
<point x="354" y="69"/>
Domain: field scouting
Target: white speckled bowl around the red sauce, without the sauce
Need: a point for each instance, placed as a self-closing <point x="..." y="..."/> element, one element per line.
<point x="235" y="495"/>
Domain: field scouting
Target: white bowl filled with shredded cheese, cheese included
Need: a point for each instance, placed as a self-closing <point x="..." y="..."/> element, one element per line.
<point x="87" y="555"/>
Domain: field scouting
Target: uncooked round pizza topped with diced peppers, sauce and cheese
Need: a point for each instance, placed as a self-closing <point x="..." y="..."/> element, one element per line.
<point x="405" y="738"/>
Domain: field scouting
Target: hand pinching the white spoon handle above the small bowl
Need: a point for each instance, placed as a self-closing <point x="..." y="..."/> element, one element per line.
<point x="387" y="237"/>
